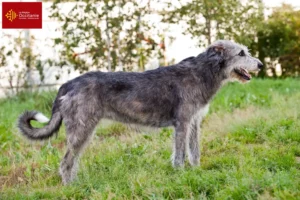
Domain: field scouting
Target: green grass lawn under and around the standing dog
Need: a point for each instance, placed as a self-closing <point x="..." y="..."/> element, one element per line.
<point x="250" y="150"/>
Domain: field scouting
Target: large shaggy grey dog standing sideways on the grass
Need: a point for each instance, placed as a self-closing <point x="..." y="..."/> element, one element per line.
<point x="176" y="95"/>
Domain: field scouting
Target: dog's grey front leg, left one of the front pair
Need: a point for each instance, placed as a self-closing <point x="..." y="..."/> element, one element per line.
<point x="181" y="130"/>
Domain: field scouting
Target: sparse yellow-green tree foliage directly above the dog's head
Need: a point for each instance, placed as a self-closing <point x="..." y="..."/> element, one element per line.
<point x="219" y="19"/>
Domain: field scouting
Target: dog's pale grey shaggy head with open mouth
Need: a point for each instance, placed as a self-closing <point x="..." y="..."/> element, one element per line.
<point x="233" y="60"/>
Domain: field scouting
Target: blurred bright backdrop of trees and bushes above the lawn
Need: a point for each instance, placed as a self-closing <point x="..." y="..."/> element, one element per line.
<point x="136" y="35"/>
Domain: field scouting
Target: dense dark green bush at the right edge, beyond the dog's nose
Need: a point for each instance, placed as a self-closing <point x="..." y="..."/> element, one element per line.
<point x="280" y="41"/>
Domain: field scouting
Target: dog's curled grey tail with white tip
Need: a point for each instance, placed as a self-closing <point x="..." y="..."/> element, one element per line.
<point x="40" y="133"/>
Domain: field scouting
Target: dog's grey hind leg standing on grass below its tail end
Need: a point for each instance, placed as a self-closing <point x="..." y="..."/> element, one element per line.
<point x="78" y="136"/>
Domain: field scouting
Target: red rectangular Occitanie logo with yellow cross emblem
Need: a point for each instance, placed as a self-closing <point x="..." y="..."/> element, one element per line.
<point x="23" y="15"/>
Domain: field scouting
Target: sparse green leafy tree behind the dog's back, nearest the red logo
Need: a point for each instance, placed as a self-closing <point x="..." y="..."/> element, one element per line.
<point x="105" y="34"/>
